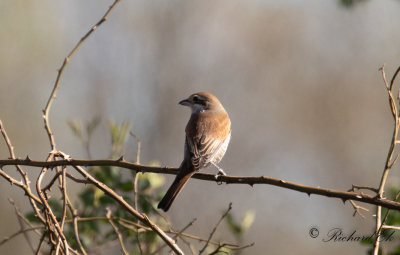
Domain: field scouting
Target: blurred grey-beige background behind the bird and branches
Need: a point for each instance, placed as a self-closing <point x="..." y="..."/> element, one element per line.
<point x="299" y="80"/>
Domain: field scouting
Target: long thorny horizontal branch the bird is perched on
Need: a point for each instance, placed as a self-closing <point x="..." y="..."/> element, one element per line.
<point x="343" y="195"/>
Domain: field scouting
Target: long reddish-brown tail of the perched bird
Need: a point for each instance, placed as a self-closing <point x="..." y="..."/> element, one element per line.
<point x="174" y="190"/>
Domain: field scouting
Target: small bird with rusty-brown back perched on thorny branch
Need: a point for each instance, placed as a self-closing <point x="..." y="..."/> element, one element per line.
<point x="208" y="133"/>
